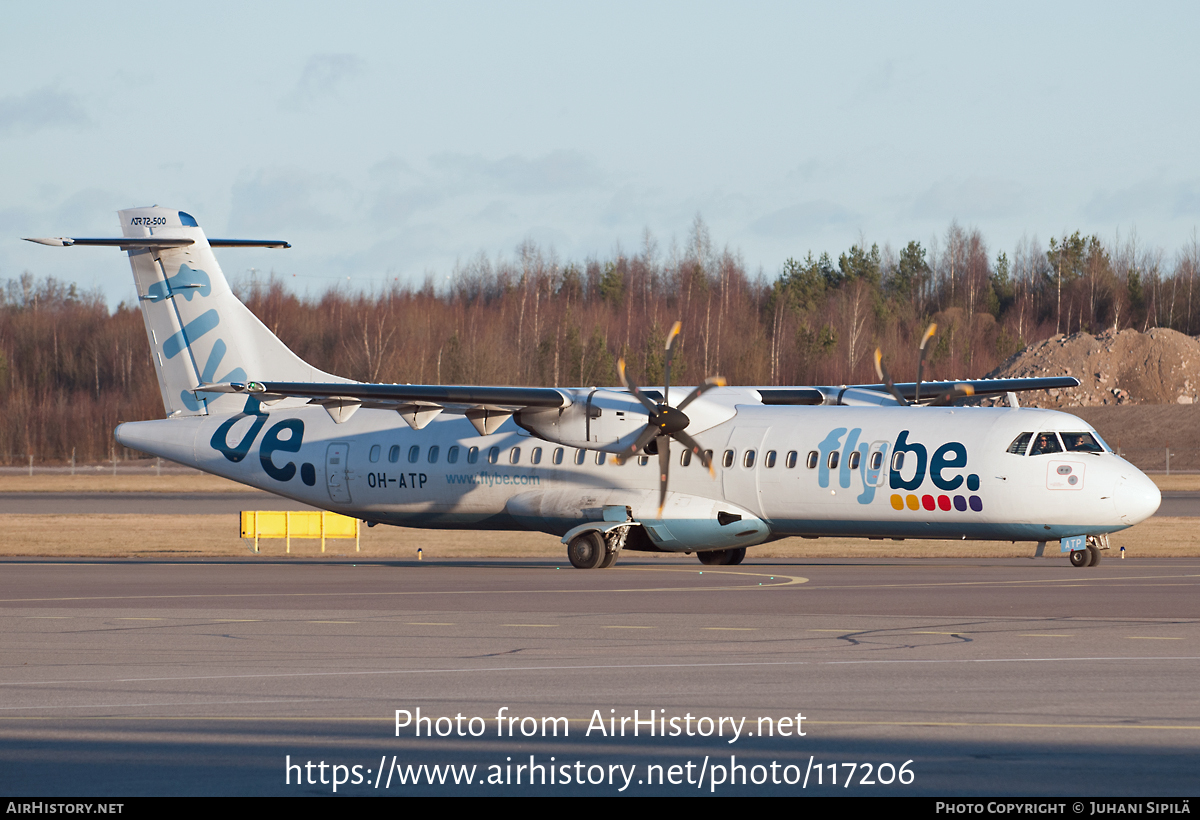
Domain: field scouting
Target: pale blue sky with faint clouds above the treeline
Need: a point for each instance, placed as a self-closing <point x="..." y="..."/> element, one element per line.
<point x="398" y="141"/>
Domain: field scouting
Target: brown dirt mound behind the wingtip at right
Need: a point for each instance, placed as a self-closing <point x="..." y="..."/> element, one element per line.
<point x="1129" y="368"/>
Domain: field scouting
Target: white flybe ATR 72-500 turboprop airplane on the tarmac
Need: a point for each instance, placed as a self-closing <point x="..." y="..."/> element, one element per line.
<point x="754" y="464"/>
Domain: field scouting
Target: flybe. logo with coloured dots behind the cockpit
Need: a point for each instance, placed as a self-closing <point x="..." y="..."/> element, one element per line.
<point x="843" y="453"/>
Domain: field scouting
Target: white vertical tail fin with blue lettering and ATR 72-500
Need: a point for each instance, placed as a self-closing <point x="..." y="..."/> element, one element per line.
<point x="200" y="332"/>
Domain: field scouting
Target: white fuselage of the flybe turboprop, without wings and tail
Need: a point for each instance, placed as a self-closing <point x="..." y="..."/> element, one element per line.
<point x="376" y="468"/>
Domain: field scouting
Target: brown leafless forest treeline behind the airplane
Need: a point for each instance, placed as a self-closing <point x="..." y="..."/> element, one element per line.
<point x="71" y="369"/>
